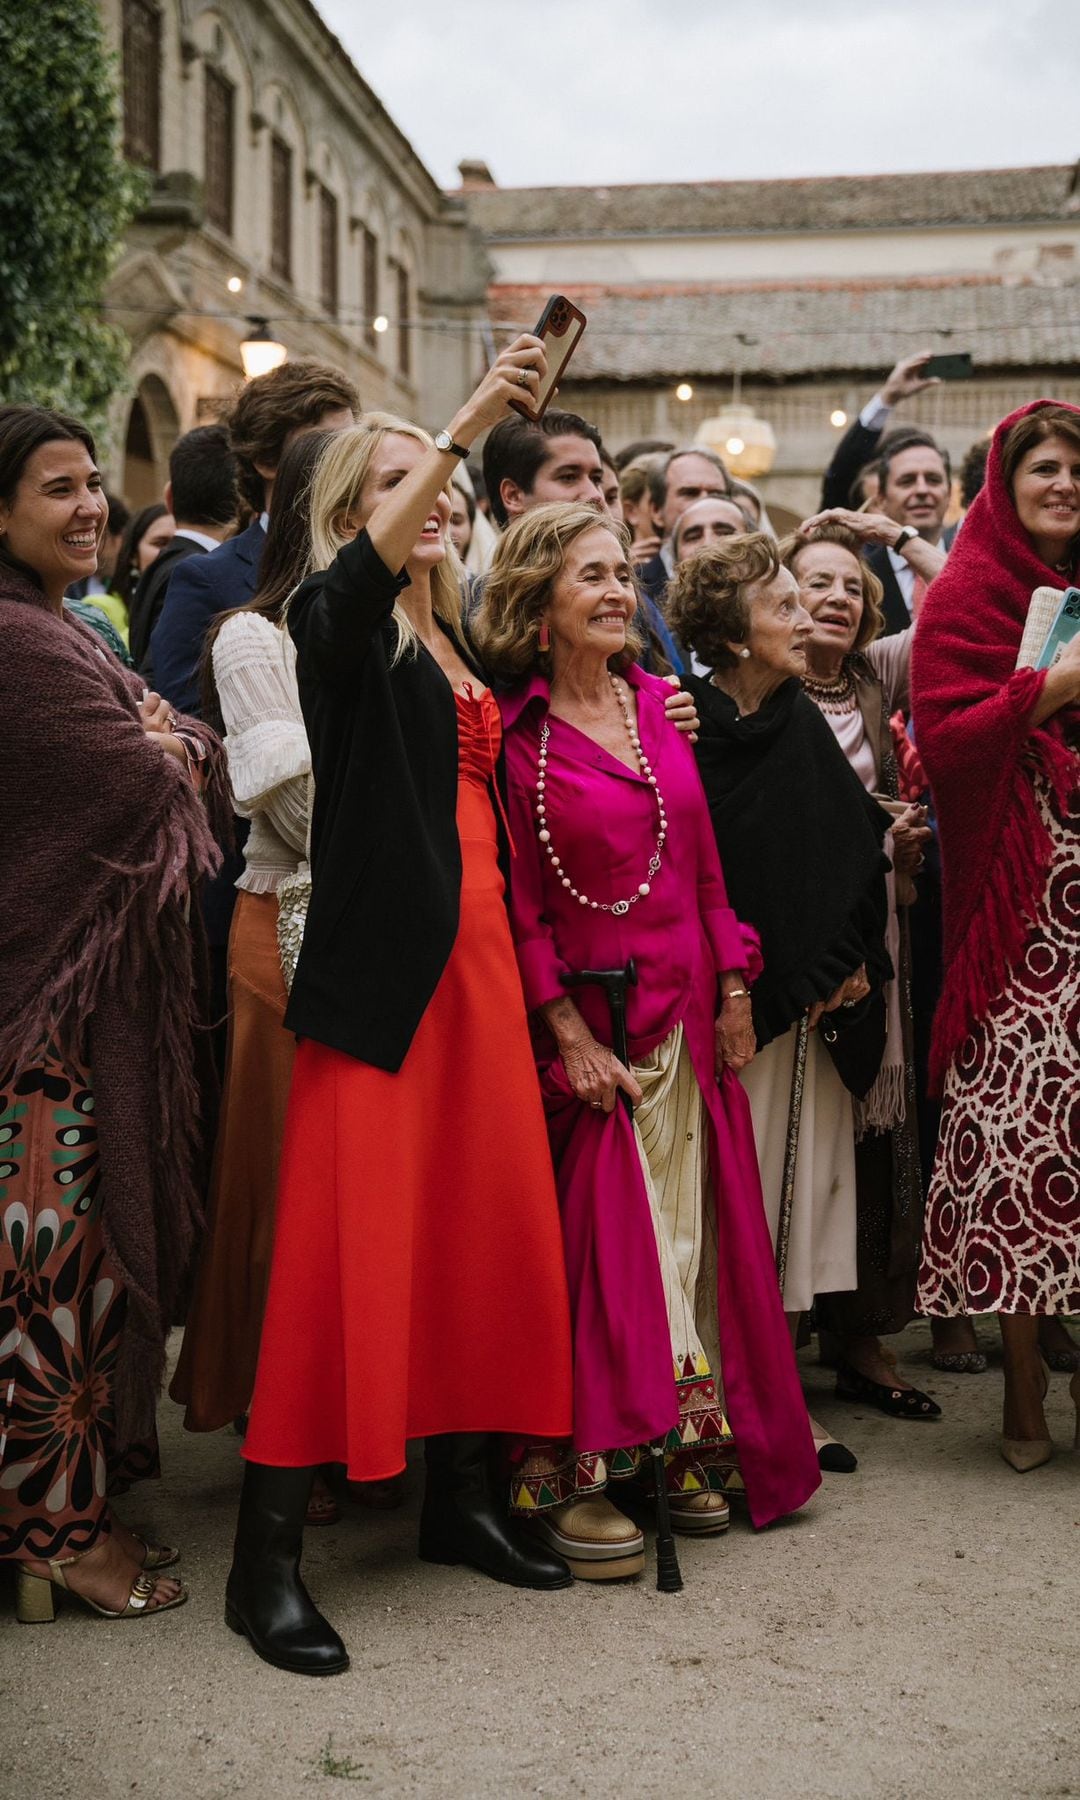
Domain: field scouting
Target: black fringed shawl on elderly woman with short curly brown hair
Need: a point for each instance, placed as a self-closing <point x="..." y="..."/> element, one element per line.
<point x="802" y="849"/>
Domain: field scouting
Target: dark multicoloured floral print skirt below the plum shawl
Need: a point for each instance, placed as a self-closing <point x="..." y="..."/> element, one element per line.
<point x="62" y="1311"/>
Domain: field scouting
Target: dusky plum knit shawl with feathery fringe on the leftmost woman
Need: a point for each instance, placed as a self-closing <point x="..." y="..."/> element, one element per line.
<point x="105" y="843"/>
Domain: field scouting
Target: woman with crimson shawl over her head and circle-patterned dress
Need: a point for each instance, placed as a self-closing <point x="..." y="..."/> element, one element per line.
<point x="1002" y="751"/>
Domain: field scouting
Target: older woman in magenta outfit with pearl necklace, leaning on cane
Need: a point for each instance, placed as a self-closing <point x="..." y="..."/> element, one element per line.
<point x="678" y="1318"/>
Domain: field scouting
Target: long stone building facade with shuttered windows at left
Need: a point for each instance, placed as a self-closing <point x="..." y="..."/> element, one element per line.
<point x="276" y="168"/>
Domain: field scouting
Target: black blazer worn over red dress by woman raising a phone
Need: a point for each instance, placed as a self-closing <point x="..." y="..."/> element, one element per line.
<point x="386" y="859"/>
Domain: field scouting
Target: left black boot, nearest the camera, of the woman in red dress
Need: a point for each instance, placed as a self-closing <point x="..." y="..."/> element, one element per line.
<point x="265" y="1599"/>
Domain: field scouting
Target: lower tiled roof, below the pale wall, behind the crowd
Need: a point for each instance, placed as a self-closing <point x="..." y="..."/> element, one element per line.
<point x="647" y="334"/>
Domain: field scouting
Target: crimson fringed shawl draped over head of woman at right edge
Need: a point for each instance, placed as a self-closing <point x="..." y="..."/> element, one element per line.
<point x="973" y="715"/>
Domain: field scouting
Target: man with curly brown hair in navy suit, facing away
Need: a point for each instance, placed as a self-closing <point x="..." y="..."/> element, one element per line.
<point x="269" y="413"/>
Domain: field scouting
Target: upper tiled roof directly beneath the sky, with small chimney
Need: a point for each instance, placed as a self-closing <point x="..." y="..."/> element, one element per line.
<point x="836" y="202"/>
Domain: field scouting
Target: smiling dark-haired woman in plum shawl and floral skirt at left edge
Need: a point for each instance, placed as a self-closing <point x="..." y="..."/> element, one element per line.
<point x="100" y="1147"/>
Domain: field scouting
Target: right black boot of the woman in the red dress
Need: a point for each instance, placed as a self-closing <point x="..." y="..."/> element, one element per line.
<point x="463" y="1522"/>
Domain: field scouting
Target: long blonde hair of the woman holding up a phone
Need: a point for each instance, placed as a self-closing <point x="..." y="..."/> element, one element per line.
<point x="336" y="492"/>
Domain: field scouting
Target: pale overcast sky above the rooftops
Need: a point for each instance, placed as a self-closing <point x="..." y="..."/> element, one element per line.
<point x="645" y="91"/>
